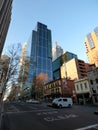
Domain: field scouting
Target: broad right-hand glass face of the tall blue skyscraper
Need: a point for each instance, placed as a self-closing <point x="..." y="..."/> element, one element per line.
<point x="44" y="51"/>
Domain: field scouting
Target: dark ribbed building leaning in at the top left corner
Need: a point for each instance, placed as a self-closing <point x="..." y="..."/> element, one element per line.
<point x="5" y="17"/>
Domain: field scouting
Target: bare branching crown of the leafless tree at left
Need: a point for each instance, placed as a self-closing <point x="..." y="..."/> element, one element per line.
<point x="13" y="66"/>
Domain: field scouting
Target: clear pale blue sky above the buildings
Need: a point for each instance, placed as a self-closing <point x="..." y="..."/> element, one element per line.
<point x="69" y="21"/>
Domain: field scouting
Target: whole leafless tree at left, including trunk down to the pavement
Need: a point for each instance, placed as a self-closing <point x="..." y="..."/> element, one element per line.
<point x="11" y="71"/>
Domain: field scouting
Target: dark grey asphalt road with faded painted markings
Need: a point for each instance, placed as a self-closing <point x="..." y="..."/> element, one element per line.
<point x="28" y="116"/>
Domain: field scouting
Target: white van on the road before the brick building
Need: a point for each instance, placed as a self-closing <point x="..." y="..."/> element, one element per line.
<point x="62" y="102"/>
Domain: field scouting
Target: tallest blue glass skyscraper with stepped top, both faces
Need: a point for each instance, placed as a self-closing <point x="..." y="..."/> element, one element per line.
<point x="39" y="53"/>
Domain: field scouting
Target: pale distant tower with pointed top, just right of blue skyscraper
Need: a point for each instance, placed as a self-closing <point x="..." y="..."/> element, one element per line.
<point x="56" y="51"/>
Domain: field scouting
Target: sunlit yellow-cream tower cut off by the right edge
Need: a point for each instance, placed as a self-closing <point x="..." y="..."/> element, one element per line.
<point x="91" y="43"/>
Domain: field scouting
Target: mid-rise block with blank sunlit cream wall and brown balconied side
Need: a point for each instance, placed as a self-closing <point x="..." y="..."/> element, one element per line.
<point x="74" y="69"/>
